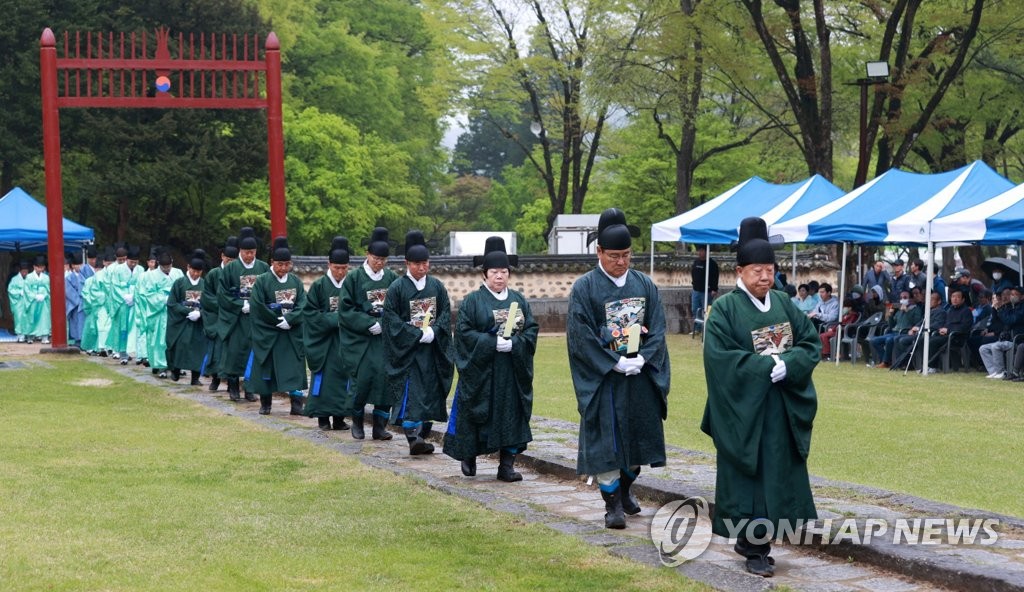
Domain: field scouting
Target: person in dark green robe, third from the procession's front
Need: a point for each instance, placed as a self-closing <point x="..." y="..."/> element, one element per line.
<point x="496" y="340"/>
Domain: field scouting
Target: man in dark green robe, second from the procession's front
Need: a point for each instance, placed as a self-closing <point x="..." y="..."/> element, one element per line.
<point x="620" y="367"/>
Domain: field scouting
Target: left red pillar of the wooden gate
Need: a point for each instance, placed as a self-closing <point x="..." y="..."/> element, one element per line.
<point x="55" y="199"/>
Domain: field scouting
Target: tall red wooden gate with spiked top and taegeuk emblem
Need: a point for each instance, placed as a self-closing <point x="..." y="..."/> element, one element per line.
<point x="98" y="70"/>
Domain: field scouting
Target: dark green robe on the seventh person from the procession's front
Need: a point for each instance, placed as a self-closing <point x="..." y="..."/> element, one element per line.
<point x="278" y="362"/>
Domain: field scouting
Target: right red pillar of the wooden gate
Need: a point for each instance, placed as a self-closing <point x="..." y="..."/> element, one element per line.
<point x="275" y="140"/>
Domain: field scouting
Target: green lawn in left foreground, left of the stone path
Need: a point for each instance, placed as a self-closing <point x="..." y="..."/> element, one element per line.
<point x="122" y="487"/>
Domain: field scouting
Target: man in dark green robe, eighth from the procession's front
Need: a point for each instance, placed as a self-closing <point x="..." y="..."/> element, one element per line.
<point x="234" y="309"/>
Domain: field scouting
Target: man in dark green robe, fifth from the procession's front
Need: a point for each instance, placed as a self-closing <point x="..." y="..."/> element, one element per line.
<point x="363" y="298"/>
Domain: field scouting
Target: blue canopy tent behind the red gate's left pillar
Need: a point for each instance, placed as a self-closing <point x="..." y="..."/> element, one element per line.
<point x="23" y="225"/>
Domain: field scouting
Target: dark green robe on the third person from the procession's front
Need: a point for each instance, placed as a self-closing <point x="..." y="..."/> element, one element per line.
<point x="494" y="399"/>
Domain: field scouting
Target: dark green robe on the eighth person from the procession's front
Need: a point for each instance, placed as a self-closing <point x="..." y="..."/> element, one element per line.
<point x="234" y="327"/>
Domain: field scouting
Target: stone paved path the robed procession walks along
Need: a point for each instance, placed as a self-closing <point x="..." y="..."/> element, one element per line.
<point x="552" y="495"/>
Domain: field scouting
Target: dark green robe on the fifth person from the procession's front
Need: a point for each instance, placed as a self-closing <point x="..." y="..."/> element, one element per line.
<point x="362" y="306"/>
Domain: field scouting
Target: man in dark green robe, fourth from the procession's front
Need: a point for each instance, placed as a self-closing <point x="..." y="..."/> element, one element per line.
<point x="417" y="325"/>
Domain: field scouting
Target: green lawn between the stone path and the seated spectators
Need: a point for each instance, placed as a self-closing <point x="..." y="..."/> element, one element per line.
<point x="957" y="439"/>
